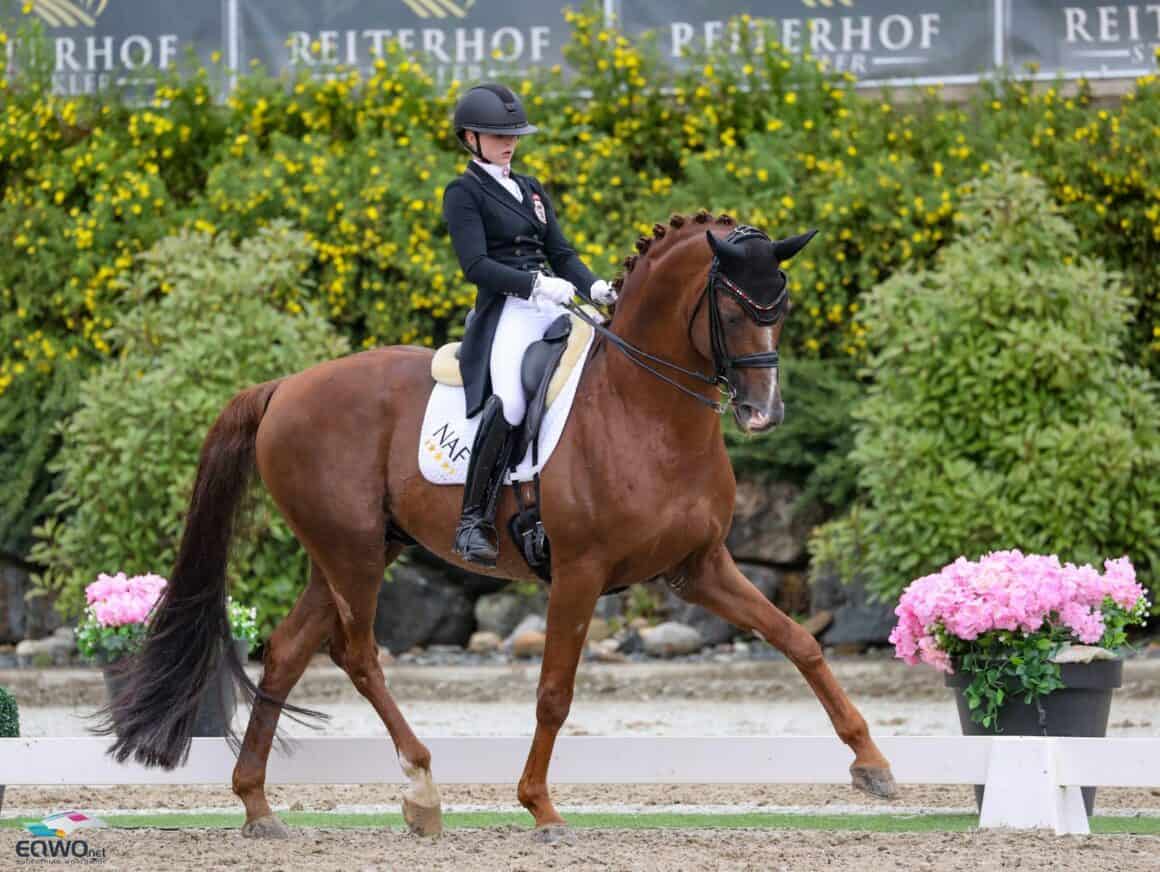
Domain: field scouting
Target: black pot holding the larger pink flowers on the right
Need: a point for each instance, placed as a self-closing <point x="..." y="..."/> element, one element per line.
<point x="1078" y="709"/>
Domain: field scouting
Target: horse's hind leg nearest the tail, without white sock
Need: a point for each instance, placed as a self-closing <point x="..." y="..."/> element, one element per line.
<point x="289" y="651"/>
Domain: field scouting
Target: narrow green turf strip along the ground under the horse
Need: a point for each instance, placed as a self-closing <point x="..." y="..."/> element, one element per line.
<point x="482" y="820"/>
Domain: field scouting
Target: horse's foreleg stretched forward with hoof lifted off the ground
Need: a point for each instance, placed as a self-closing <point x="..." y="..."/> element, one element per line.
<point x="721" y="587"/>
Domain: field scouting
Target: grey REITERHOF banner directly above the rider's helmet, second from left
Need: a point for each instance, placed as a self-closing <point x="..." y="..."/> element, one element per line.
<point x="463" y="40"/>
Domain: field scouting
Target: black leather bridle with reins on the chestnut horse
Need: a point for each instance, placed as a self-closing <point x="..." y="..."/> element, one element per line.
<point x="724" y="366"/>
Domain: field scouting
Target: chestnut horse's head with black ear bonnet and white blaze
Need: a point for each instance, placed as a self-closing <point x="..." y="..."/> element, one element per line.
<point x="748" y="300"/>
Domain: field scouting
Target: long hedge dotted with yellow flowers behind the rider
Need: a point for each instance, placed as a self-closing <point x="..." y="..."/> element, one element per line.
<point x="359" y="164"/>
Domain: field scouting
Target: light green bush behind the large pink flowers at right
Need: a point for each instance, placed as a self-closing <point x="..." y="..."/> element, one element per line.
<point x="1003" y="411"/>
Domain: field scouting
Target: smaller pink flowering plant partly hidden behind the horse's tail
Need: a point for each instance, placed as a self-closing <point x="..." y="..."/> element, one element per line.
<point x="119" y="612"/>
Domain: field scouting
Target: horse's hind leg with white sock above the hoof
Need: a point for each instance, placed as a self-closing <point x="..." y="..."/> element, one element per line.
<point x="356" y="582"/>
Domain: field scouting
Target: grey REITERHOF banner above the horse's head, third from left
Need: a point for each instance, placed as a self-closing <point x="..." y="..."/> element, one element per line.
<point x="873" y="40"/>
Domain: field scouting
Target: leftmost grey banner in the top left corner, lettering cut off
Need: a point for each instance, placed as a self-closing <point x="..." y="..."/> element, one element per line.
<point x="97" y="45"/>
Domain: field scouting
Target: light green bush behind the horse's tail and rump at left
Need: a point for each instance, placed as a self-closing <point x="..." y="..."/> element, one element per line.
<point x="199" y="325"/>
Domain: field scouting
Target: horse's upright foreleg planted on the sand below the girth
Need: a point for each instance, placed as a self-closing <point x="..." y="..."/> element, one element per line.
<point x="570" y="607"/>
